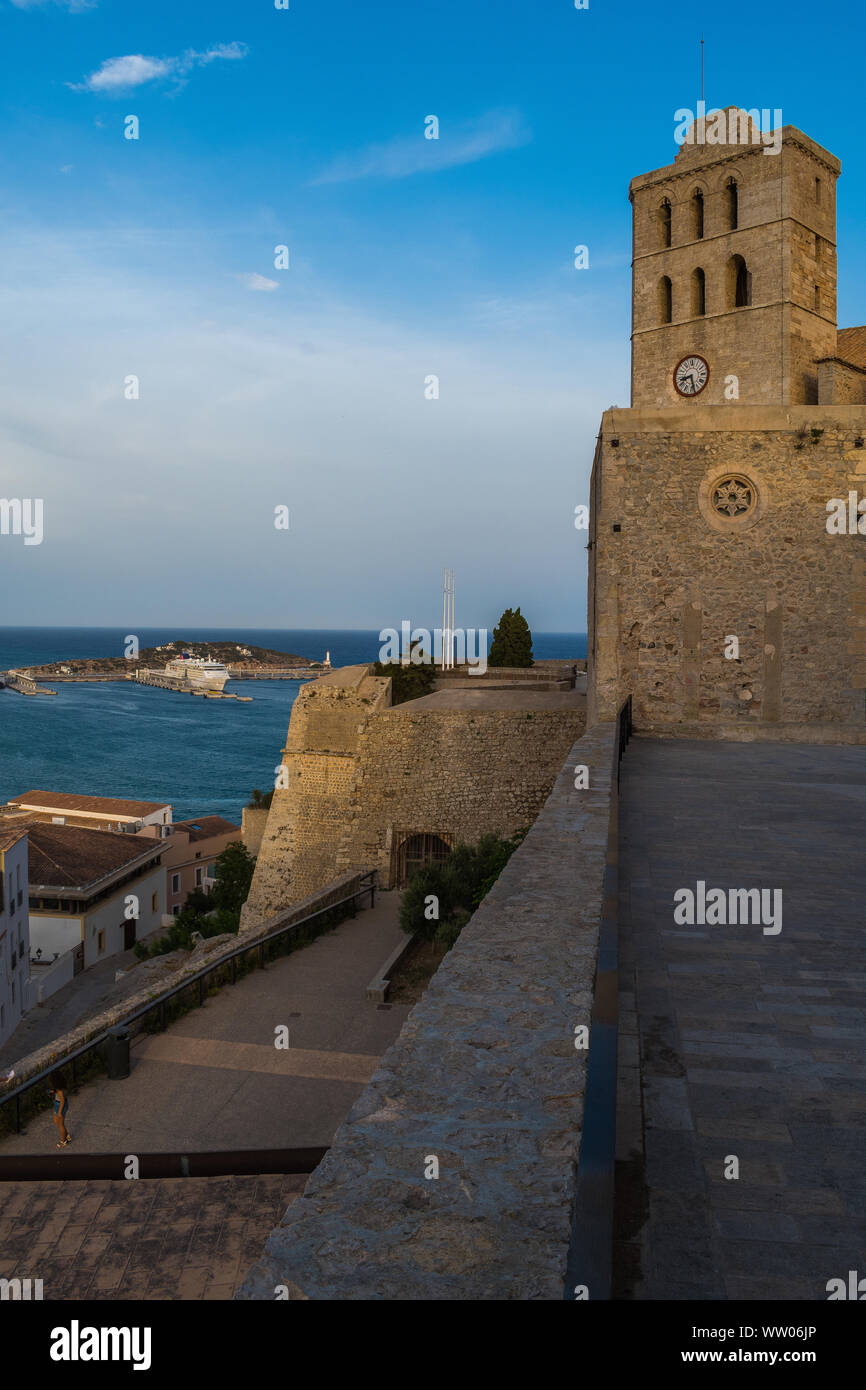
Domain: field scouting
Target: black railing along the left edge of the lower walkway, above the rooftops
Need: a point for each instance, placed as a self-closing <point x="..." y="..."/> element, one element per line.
<point x="83" y="1061"/>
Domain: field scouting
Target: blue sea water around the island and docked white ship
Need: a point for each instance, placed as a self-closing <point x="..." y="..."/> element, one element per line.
<point x="148" y="744"/>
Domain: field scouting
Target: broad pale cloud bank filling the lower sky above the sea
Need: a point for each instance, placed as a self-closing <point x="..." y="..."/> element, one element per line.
<point x="241" y="414"/>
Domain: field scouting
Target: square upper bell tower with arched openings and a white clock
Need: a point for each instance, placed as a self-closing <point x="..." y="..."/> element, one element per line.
<point x="735" y="269"/>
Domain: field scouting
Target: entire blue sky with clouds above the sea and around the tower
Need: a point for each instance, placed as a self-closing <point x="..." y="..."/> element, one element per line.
<point x="409" y="258"/>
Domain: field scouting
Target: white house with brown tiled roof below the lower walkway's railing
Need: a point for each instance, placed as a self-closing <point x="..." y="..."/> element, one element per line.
<point x="92" y="892"/>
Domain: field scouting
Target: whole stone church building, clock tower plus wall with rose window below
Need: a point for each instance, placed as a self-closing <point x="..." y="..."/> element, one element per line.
<point x="719" y="597"/>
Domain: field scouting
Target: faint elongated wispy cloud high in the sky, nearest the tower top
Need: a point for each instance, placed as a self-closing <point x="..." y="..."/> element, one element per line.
<point x="414" y="155"/>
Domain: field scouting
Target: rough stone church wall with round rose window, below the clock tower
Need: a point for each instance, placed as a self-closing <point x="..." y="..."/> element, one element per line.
<point x="676" y="580"/>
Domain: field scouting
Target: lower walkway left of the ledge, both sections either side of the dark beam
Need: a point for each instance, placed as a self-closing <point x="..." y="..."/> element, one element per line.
<point x="213" y="1081"/>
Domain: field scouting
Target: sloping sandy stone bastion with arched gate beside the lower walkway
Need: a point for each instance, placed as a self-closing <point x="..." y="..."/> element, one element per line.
<point x="363" y="776"/>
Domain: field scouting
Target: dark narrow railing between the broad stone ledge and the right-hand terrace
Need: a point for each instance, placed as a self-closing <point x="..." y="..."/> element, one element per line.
<point x="590" y="1266"/>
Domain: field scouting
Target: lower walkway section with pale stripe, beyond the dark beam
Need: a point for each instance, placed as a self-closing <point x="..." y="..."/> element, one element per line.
<point x="215" y="1081"/>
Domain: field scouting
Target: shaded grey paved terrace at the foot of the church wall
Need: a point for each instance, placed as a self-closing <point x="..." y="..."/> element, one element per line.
<point x="736" y="1043"/>
